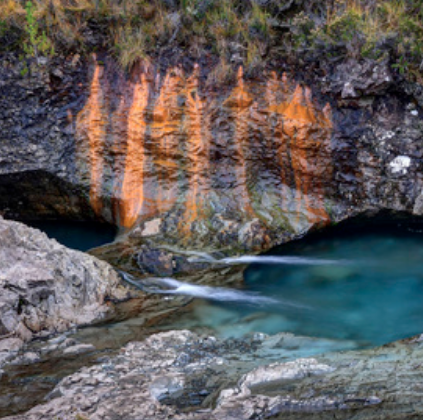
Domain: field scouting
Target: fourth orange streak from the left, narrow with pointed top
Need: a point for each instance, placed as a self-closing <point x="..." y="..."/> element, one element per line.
<point x="197" y="150"/>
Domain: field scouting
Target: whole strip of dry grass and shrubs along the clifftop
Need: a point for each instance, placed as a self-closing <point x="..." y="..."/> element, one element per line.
<point x="252" y="32"/>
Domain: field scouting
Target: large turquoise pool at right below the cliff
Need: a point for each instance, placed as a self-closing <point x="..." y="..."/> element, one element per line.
<point x="372" y="294"/>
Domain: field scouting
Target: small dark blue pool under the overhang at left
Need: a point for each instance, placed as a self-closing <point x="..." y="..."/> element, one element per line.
<point x="77" y="235"/>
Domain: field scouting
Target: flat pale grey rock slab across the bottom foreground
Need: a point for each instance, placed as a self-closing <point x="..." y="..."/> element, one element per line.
<point x="181" y="375"/>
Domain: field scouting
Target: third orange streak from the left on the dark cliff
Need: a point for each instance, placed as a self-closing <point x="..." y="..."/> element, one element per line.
<point x="165" y="131"/>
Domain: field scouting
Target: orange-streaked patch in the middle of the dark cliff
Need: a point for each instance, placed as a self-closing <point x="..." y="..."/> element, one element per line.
<point x="160" y="145"/>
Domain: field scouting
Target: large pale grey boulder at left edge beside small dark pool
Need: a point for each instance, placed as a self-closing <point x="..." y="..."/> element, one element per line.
<point x="47" y="288"/>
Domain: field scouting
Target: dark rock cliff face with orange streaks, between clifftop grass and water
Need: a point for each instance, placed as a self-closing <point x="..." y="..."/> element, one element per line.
<point x="174" y="160"/>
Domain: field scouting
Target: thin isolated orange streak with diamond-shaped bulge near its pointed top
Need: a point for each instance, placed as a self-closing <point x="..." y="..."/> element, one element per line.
<point x="240" y="102"/>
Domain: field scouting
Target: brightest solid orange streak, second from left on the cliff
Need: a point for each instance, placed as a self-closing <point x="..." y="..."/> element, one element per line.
<point x="132" y="191"/>
